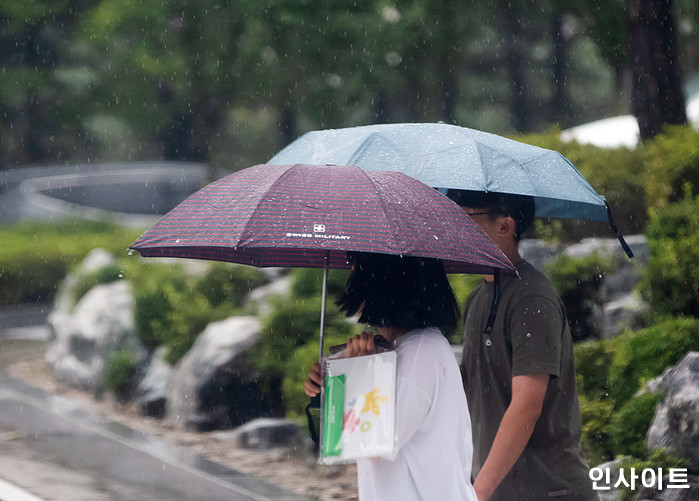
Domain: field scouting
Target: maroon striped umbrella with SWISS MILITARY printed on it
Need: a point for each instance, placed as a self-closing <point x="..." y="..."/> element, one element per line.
<point x="311" y="216"/>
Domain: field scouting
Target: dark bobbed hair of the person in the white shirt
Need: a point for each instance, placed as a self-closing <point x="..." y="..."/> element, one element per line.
<point x="399" y="291"/>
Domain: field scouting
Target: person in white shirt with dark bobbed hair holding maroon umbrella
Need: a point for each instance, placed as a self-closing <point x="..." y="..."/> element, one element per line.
<point x="408" y="300"/>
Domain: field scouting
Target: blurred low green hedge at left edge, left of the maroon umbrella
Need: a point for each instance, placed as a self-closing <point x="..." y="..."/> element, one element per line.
<point x="35" y="257"/>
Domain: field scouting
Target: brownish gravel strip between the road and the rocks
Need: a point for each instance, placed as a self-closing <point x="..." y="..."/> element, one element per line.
<point x="294" y="472"/>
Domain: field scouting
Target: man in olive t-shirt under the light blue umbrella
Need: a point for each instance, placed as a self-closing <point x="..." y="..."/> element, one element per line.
<point x="520" y="385"/>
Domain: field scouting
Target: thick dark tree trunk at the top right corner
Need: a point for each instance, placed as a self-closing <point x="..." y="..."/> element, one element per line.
<point x="657" y="97"/>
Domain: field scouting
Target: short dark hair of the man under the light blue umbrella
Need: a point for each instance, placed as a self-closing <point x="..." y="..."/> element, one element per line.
<point x="519" y="207"/>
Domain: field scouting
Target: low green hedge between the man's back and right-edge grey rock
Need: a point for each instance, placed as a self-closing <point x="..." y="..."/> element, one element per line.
<point x="610" y="373"/>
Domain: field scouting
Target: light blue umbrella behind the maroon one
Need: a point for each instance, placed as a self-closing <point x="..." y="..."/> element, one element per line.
<point x="448" y="157"/>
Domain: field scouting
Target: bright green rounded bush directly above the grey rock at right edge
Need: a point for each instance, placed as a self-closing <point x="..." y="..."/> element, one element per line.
<point x="643" y="355"/>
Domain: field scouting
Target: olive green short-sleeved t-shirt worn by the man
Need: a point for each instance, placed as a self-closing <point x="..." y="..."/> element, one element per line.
<point x="530" y="336"/>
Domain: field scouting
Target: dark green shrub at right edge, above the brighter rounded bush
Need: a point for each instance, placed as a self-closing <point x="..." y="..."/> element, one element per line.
<point x="671" y="278"/>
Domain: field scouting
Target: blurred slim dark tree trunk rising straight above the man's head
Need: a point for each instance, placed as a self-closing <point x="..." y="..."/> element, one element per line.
<point x="515" y="67"/>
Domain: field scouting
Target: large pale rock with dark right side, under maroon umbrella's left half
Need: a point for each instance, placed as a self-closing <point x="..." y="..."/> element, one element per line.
<point x="214" y="386"/>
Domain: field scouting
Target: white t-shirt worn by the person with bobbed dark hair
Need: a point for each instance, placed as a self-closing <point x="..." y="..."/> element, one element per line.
<point x="433" y="428"/>
